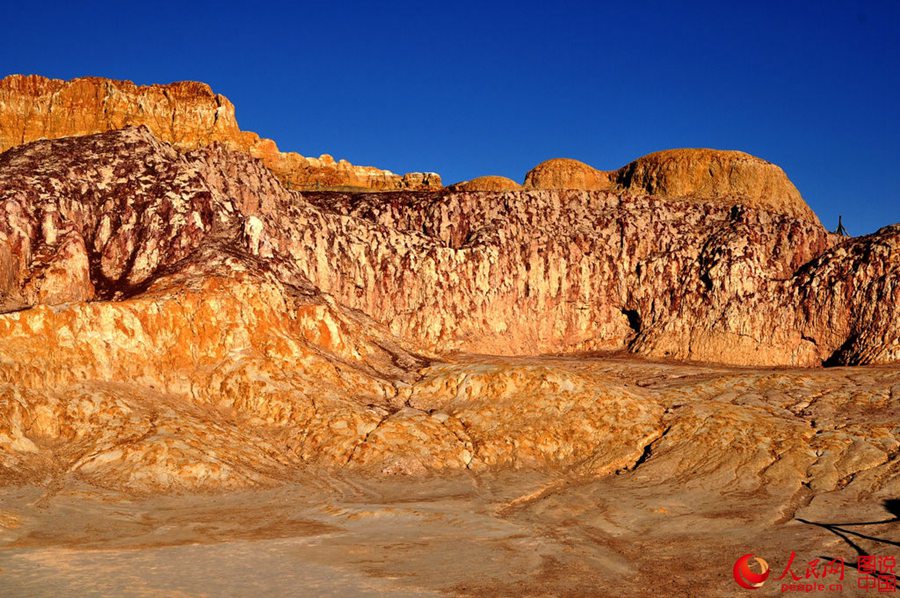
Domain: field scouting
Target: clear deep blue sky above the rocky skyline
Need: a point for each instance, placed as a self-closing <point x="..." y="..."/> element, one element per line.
<point x="471" y="88"/>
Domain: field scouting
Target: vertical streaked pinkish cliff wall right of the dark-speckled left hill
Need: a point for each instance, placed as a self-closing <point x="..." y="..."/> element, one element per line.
<point x="548" y="271"/>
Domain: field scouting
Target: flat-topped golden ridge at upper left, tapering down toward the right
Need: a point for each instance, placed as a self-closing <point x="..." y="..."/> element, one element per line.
<point x="186" y="114"/>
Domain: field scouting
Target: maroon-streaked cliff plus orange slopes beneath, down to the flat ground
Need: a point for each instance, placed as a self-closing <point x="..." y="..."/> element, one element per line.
<point x="183" y="320"/>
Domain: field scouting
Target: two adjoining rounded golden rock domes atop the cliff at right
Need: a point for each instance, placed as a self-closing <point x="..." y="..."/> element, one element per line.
<point x="696" y="175"/>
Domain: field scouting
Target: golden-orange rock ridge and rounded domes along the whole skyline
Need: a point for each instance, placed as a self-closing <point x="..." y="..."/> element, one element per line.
<point x="189" y="115"/>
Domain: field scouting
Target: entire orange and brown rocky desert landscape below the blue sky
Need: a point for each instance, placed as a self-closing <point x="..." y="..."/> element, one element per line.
<point x="225" y="369"/>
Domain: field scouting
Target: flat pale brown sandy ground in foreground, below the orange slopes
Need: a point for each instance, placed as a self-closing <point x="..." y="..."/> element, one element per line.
<point x="401" y="537"/>
